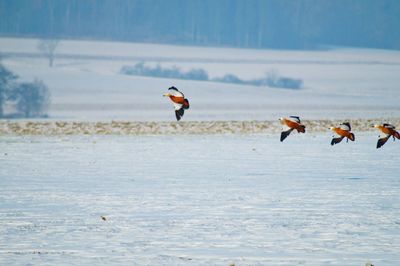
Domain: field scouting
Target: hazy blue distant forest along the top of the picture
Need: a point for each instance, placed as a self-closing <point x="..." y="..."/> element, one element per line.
<point x="284" y="24"/>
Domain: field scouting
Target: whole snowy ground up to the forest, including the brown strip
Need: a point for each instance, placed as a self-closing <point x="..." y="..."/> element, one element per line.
<point x="210" y="198"/>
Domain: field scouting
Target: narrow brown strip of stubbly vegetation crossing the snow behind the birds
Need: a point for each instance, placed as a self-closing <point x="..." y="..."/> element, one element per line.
<point x="49" y="128"/>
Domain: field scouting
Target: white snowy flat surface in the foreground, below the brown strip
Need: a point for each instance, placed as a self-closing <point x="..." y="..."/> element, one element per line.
<point x="198" y="200"/>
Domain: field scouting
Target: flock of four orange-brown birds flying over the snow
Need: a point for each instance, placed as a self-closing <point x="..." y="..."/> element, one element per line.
<point x="293" y="122"/>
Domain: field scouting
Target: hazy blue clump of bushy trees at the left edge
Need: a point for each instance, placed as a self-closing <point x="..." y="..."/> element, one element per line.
<point x="22" y="99"/>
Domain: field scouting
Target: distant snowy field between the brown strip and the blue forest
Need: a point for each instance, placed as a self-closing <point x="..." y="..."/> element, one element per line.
<point x="85" y="82"/>
